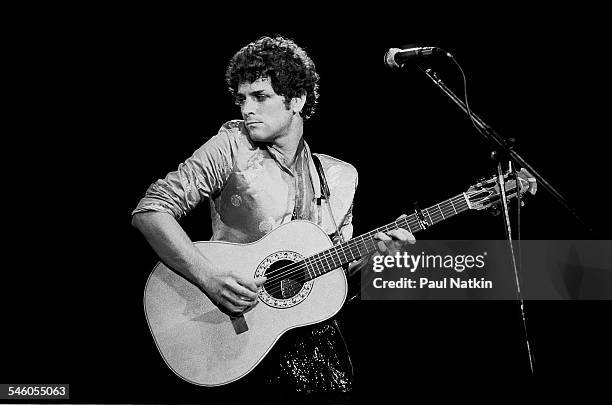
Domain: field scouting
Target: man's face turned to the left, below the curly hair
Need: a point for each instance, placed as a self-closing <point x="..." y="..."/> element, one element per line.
<point x="264" y="112"/>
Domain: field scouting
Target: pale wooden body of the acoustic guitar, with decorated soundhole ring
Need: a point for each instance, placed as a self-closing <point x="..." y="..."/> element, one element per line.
<point x="206" y="347"/>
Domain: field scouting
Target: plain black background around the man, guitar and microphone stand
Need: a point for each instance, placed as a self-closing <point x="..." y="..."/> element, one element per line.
<point x="121" y="100"/>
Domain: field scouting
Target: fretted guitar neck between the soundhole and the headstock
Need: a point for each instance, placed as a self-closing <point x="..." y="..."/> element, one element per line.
<point x="365" y="244"/>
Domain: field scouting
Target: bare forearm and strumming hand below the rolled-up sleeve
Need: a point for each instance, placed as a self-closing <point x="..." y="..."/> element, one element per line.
<point x="232" y="294"/>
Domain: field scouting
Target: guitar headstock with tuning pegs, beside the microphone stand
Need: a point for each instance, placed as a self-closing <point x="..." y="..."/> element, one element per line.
<point x="487" y="194"/>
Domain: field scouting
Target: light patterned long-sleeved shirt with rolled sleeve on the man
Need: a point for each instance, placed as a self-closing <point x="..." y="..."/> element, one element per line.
<point x="251" y="189"/>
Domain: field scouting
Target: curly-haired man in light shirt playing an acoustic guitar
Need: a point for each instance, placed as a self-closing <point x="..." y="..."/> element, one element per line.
<point x="257" y="174"/>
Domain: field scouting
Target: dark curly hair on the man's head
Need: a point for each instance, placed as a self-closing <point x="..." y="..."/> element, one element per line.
<point x="291" y="71"/>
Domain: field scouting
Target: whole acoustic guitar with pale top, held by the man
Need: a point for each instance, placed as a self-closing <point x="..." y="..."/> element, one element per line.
<point x="305" y="285"/>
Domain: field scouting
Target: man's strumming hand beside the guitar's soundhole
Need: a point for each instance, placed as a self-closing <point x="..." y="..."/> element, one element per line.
<point x="233" y="295"/>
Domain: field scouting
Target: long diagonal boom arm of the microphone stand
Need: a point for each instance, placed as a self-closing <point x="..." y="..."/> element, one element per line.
<point x="504" y="146"/>
